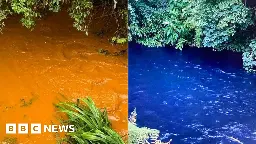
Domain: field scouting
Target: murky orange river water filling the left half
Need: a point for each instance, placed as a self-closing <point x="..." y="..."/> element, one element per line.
<point x="54" y="58"/>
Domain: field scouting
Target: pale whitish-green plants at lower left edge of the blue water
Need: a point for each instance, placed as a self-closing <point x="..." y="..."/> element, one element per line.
<point x="142" y="135"/>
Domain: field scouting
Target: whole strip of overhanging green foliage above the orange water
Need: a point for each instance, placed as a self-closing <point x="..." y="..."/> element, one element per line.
<point x="81" y="11"/>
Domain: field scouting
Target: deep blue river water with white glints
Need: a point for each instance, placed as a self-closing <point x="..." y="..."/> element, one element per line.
<point x="196" y="96"/>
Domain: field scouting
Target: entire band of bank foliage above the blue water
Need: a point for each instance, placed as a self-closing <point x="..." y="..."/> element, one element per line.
<point x="217" y="24"/>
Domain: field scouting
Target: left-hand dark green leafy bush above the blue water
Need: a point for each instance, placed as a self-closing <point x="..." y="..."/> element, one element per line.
<point x="156" y="24"/>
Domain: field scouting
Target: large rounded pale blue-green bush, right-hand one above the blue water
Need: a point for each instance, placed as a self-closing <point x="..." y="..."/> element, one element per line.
<point x="219" y="21"/>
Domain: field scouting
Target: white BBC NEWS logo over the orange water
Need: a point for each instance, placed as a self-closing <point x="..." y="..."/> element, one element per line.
<point x="37" y="128"/>
